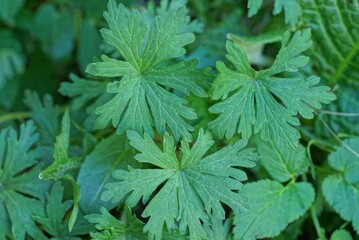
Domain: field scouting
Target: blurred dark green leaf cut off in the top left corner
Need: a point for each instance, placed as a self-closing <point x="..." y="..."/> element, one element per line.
<point x="9" y="10"/>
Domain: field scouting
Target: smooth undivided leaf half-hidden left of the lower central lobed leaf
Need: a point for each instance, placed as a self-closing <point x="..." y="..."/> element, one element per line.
<point x="110" y="154"/>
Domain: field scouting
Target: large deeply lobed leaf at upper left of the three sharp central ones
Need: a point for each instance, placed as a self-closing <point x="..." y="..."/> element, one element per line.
<point x="141" y="98"/>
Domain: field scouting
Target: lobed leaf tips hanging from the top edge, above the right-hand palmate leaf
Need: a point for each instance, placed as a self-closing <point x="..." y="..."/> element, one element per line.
<point x="292" y="9"/>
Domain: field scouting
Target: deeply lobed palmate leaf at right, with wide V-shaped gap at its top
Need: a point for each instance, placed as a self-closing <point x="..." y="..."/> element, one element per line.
<point x="254" y="101"/>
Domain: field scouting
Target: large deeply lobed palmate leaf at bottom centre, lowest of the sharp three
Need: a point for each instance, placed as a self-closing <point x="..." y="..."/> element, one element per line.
<point x="193" y="185"/>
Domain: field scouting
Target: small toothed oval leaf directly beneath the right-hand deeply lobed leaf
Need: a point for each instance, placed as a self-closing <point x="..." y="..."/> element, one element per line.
<point x="281" y="162"/>
